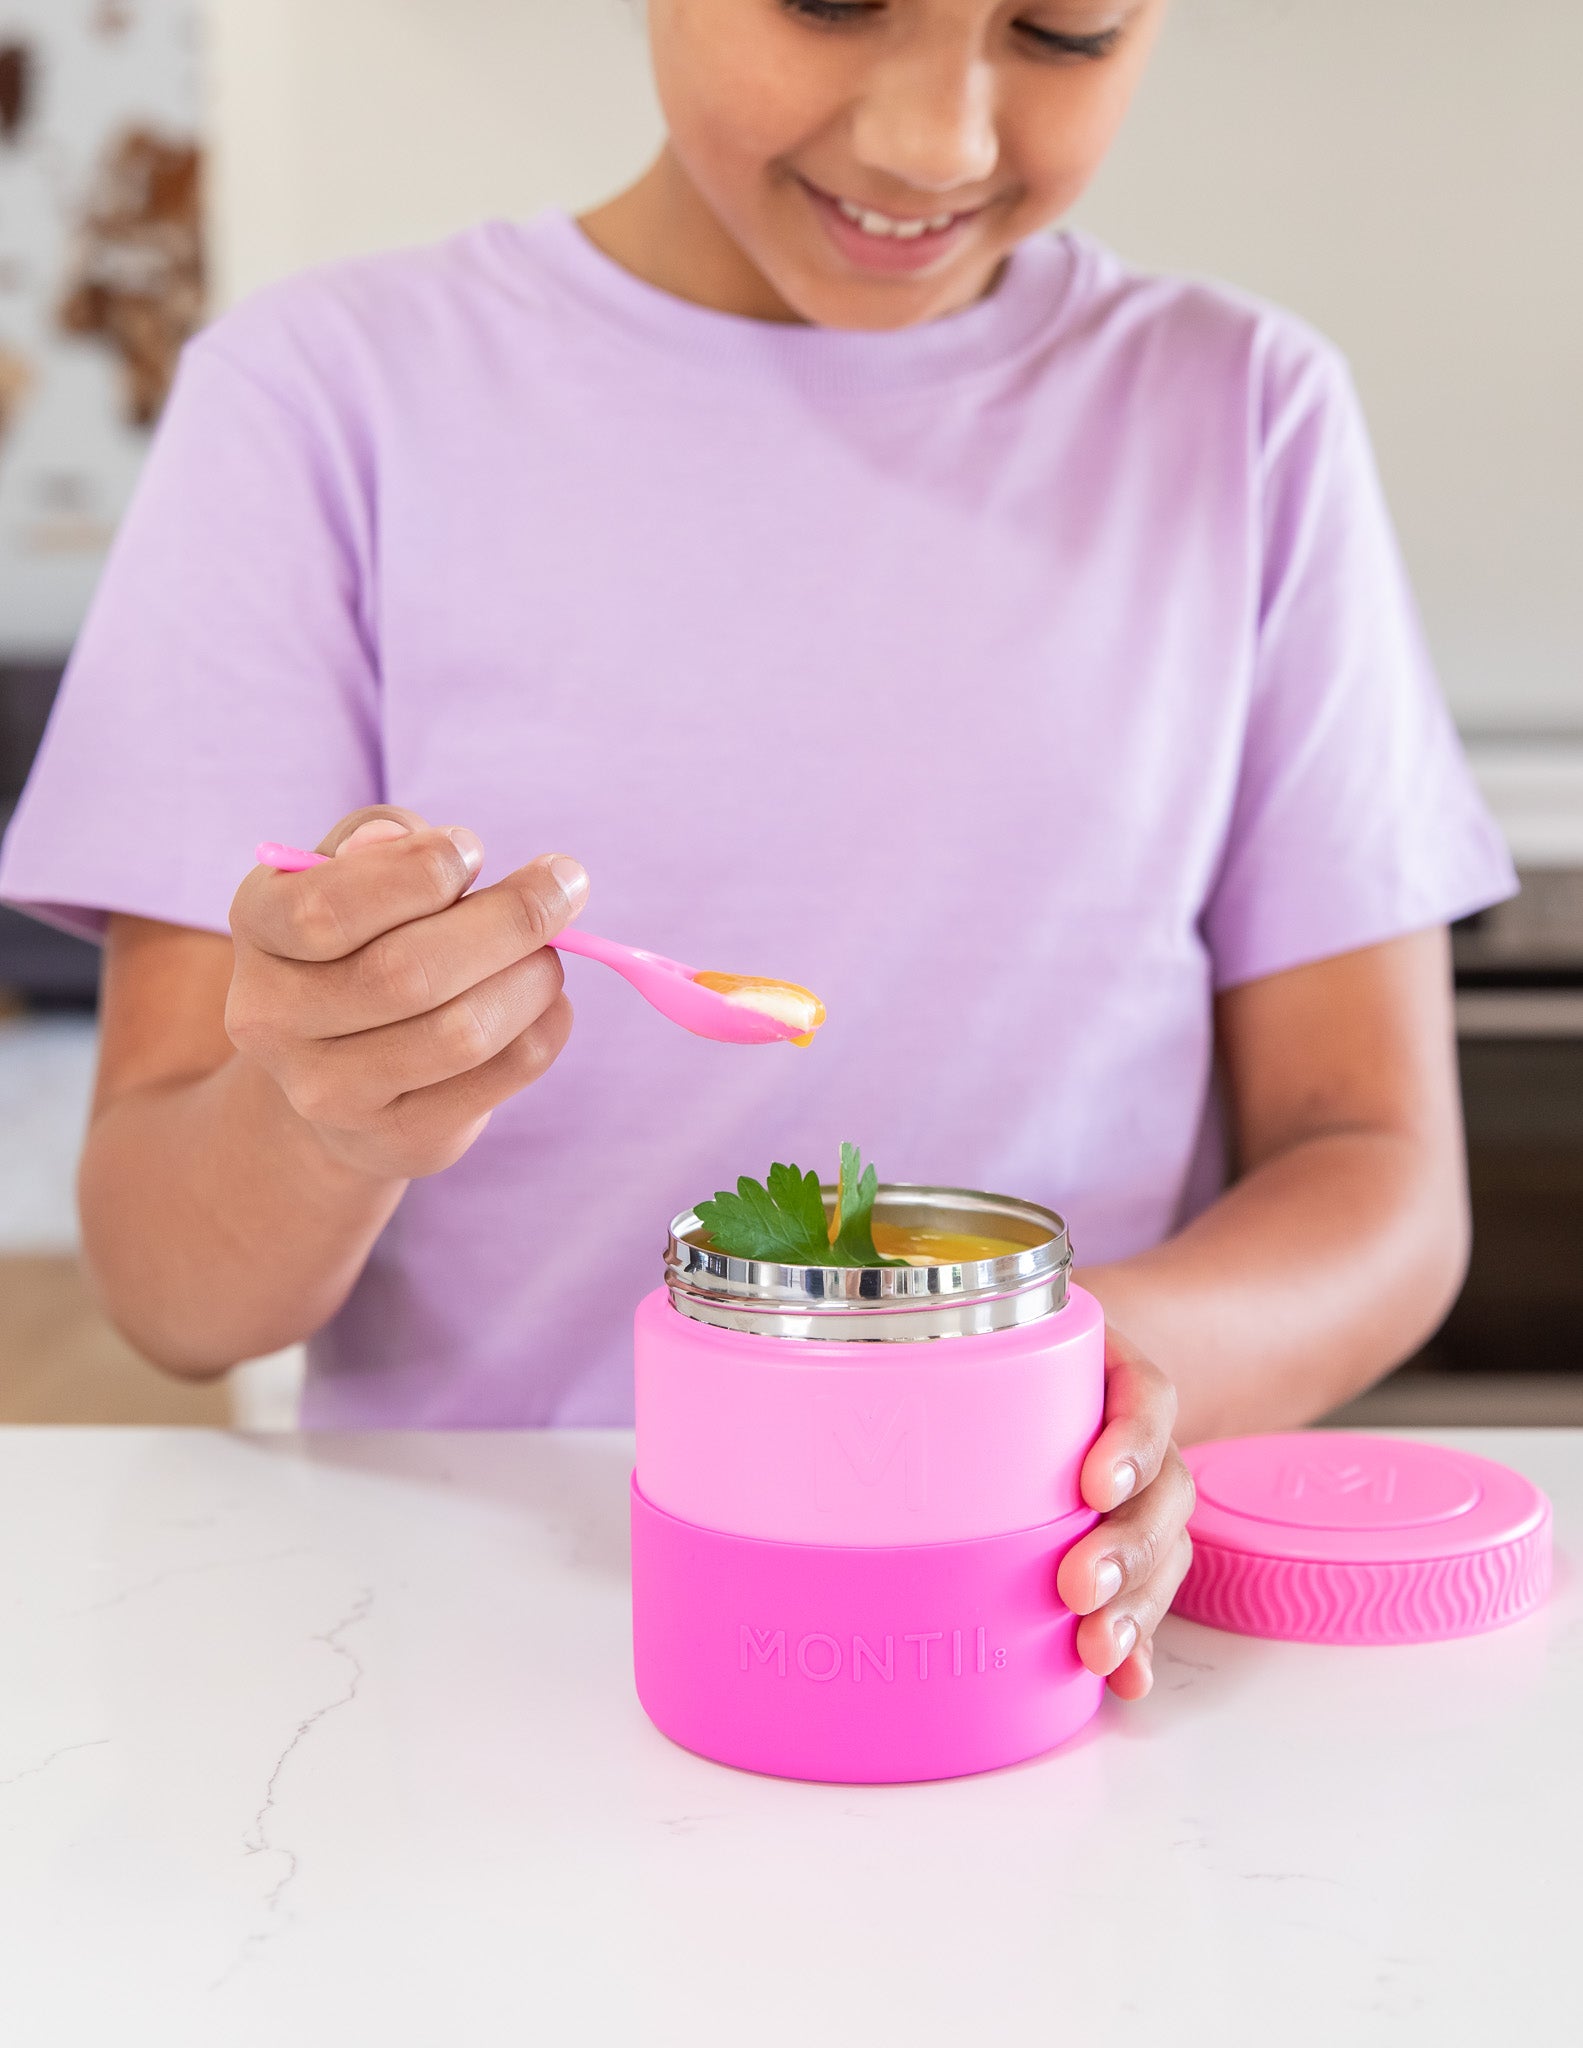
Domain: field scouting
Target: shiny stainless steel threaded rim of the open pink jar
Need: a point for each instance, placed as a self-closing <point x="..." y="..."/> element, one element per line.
<point x="884" y="1304"/>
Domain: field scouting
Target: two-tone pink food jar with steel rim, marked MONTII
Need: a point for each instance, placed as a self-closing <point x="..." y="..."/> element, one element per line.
<point x="853" y="1494"/>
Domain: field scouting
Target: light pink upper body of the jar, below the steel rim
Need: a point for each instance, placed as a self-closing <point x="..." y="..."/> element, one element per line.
<point x="867" y="1443"/>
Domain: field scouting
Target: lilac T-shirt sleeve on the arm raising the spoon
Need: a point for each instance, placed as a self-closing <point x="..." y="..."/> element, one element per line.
<point x="224" y="689"/>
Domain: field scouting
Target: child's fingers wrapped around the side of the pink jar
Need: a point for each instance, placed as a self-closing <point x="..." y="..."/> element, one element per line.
<point x="1123" y="1576"/>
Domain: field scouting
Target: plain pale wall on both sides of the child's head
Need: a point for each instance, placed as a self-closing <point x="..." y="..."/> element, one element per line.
<point x="1406" y="173"/>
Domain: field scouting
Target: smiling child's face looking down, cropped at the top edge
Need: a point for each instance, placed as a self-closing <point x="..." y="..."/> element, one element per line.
<point x="984" y="112"/>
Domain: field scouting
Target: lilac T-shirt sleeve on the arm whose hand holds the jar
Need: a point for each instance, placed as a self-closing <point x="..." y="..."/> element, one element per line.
<point x="1357" y="816"/>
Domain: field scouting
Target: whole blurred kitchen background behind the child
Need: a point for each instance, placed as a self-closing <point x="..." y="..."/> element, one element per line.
<point x="1408" y="177"/>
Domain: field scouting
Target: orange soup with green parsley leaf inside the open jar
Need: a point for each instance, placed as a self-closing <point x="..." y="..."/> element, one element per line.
<point x="783" y="1220"/>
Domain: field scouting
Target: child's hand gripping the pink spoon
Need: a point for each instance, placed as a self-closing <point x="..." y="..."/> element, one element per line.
<point x="392" y="1009"/>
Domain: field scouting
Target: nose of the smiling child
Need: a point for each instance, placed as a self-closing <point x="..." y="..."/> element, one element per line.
<point x="929" y="120"/>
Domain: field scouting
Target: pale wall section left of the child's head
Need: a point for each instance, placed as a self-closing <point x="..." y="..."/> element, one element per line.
<point x="345" y="126"/>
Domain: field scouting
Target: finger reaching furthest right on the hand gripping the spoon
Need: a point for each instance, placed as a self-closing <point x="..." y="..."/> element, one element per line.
<point x="431" y="962"/>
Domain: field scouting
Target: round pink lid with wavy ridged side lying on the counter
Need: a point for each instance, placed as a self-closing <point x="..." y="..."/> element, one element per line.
<point x="1361" y="1539"/>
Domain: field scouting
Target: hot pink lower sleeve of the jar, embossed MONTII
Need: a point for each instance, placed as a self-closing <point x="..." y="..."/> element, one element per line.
<point x="857" y="1666"/>
